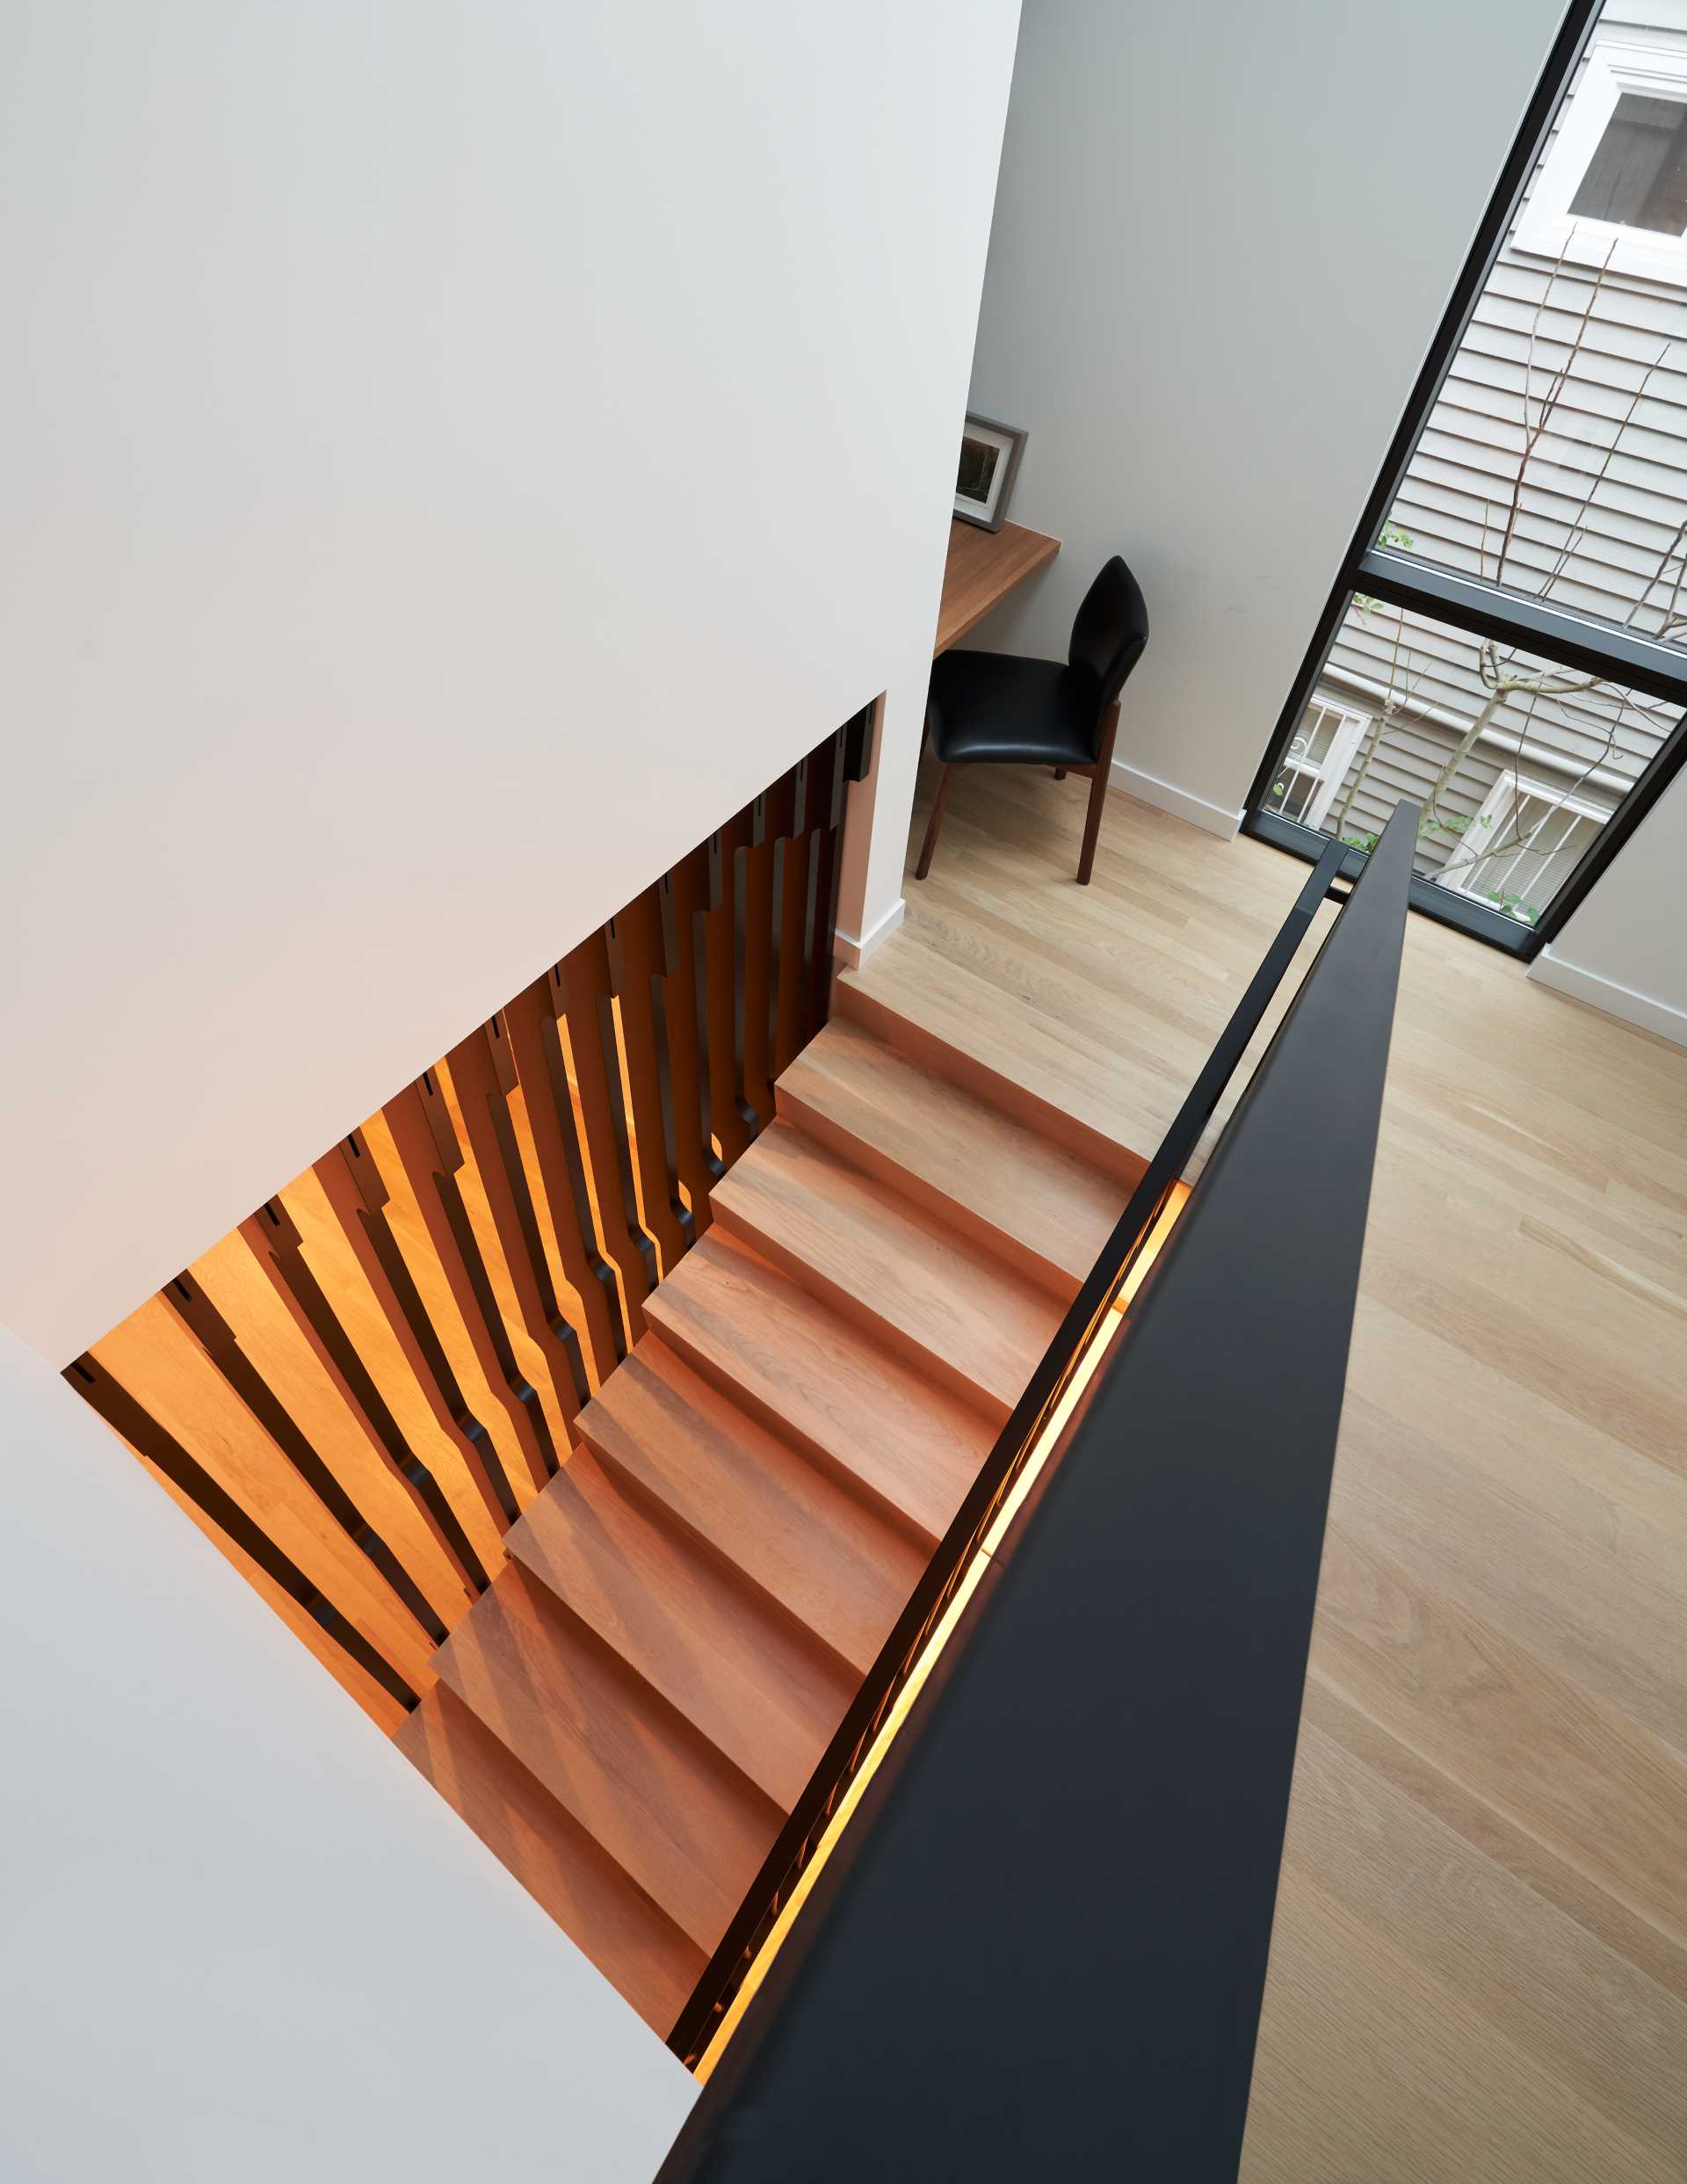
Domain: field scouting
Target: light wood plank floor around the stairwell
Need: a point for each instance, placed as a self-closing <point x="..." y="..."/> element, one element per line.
<point x="1481" y="1951"/>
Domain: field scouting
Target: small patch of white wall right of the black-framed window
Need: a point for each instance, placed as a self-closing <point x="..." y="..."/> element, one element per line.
<point x="1627" y="949"/>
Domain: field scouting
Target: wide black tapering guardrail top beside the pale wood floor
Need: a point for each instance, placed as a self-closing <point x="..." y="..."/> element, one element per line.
<point x="1040" y="1947"/>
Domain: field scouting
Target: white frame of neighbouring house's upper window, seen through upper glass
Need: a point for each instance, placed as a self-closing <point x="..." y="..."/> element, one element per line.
<point x="1546" y="226"/>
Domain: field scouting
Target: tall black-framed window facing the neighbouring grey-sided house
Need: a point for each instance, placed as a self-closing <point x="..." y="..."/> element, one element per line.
<point x="1507" y="641"/>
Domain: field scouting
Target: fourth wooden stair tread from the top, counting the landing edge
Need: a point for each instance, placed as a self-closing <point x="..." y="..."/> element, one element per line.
<point x="806" y="1373"/>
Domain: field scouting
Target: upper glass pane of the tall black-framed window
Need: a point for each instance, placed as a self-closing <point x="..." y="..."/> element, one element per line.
<point x="1555" y="460"/>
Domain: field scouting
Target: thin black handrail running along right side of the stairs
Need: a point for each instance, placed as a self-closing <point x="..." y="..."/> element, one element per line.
<point x="992" y="1486"/>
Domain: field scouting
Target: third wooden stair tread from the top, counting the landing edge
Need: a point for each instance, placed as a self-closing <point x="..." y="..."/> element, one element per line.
<point x="944" y="1301"/>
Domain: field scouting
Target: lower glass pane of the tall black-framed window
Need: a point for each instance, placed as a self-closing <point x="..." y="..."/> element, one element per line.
<point x="1518" y="763"/>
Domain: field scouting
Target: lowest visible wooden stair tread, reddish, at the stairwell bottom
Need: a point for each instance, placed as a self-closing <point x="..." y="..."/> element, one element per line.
<point x="566" y="1871"/>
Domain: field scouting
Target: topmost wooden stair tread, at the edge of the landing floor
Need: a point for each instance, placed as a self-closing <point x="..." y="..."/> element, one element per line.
<point x="1105" y="1106"/>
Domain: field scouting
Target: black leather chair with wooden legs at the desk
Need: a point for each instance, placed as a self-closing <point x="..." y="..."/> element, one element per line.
<point x="1001" y="711"/>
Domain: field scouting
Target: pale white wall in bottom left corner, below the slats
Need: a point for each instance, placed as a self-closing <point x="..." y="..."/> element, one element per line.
<point x="239" y="1936"/>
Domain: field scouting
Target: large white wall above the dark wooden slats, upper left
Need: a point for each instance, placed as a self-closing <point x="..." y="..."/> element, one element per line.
<point x="455" y="453"/>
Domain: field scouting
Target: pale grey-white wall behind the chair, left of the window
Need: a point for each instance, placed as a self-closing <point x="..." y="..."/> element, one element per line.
<point x="1223" y="241"/>
